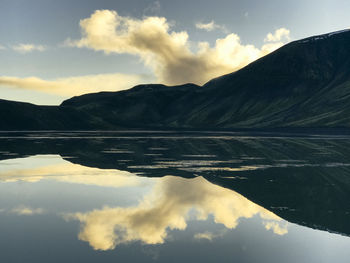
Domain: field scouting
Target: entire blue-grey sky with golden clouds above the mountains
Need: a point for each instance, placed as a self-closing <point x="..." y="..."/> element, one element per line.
<point x="52" y="50"/>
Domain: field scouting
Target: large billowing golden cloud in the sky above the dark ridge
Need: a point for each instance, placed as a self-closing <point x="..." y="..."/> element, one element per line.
<point x="168" y="53"/>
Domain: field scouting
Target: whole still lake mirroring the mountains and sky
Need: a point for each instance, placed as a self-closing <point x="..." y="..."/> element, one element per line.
<point x="145" y="196"/>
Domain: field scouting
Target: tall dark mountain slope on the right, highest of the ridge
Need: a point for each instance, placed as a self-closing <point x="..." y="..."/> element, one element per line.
<point x="305" y="83"/>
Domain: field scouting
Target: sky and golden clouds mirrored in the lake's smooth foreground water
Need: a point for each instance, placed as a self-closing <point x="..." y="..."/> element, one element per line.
<point x="116" y="209"/>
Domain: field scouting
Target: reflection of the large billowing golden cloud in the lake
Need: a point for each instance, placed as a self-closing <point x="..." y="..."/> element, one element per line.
<point x="166" y="207"/>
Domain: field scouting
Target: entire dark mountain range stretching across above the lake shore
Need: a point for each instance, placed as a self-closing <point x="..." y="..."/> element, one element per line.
<point x="305" y="83"/>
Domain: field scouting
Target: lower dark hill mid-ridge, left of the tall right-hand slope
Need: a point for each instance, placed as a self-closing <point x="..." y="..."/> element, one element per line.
<point x="141" y="106"/>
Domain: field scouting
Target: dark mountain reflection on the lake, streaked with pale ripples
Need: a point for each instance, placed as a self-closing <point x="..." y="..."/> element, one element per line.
<point x="303" y="180"/>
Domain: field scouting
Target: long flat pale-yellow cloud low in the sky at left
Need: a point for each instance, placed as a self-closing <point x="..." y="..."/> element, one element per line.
<point x="73" y="86"/>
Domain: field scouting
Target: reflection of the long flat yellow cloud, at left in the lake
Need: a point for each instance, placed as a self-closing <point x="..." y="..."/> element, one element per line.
<point x="64" y="171"/>
